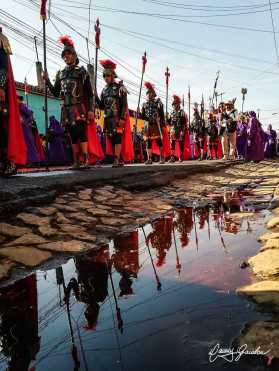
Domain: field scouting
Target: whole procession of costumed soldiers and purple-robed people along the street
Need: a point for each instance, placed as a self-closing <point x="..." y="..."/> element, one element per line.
<point x="220" y="132"/>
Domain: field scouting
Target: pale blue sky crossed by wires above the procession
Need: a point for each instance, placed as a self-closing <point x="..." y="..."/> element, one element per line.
<point x="195" y="41"/>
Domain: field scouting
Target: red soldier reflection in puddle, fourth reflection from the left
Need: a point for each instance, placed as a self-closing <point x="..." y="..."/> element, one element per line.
<point x="161" y="238"/>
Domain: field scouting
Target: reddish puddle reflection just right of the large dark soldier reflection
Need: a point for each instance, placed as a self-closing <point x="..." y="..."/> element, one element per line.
<point x="126" y="261"/>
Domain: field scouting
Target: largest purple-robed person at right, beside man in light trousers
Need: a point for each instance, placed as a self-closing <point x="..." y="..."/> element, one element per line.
<point x="256" y="139"/>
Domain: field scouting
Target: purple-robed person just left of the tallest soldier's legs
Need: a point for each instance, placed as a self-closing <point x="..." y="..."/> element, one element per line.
<point x="57" y="153"/>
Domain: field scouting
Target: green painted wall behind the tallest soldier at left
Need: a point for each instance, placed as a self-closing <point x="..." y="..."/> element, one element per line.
<point x="36" y="102"/>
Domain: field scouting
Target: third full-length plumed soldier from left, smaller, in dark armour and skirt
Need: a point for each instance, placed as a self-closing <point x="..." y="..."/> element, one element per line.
<point x="154" y="117"/>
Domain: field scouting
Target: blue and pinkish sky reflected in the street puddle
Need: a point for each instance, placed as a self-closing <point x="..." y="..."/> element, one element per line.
<point x="162" y="329"/>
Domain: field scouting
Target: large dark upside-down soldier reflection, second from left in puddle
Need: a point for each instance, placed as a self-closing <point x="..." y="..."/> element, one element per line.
<point x="91" y="287"/>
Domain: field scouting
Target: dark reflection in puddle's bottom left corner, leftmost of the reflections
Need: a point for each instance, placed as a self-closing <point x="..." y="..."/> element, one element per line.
<point x="19" y="323"/>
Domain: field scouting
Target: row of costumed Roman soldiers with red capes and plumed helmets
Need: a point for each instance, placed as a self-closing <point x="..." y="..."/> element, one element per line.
<point x="202" y="137"/>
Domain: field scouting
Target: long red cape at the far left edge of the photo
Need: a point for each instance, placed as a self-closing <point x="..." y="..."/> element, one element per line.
<point x="17" y="151"/>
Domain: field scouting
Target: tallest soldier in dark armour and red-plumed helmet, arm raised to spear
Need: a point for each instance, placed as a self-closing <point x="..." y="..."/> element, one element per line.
<point x="73" y="85"/>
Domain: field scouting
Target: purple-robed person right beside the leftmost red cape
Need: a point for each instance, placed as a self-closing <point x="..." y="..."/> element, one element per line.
<point x="27" y="119"/>
